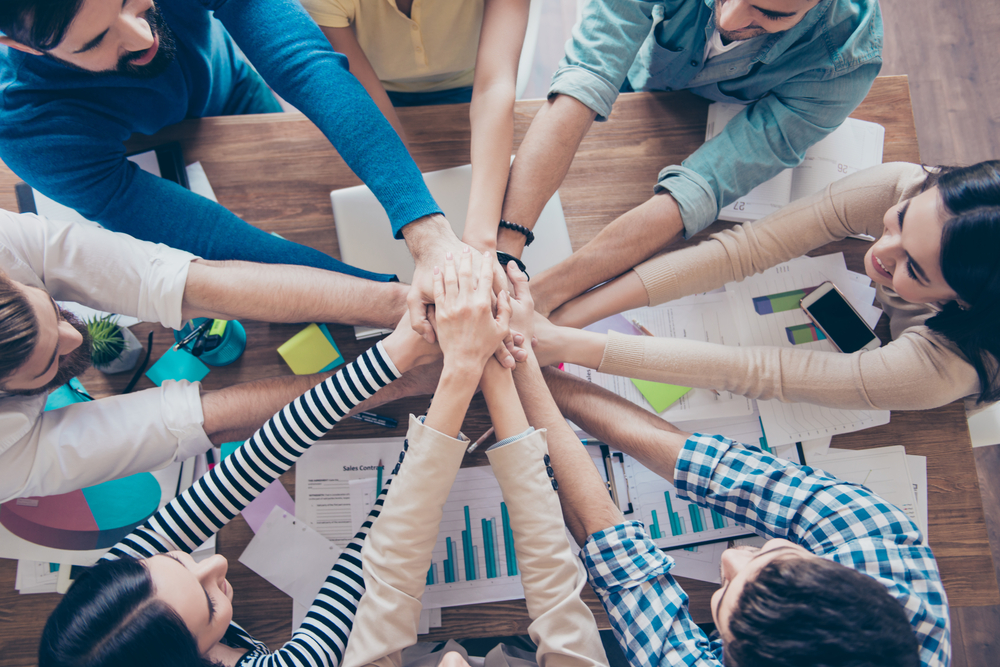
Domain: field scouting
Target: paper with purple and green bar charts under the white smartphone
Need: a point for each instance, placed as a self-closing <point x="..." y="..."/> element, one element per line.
<point x="767" y="313"/>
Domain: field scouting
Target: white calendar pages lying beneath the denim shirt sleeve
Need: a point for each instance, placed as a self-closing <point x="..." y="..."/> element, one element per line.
<point x="855" y="145"/>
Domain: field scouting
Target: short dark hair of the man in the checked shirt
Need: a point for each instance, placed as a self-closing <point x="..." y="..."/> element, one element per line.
<point x="811" y="611"/>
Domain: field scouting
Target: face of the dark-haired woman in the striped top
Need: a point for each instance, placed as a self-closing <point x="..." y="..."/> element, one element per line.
<point x="197" y="591"/>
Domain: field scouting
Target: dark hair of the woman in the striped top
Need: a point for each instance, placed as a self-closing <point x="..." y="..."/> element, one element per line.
<point x="111" y="618"/>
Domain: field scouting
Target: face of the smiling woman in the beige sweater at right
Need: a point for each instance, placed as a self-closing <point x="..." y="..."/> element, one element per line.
<point x="908" y="256"/>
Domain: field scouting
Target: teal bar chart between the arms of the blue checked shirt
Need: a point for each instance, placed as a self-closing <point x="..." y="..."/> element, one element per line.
<point x="670" y="521"/>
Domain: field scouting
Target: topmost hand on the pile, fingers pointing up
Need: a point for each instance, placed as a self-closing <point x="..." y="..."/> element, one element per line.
<point x="463" y="320"/>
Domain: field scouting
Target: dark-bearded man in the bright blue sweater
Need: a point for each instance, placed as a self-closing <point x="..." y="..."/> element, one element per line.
<point x="80" y="76"/>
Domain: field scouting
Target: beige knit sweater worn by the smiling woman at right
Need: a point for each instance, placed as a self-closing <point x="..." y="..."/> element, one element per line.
<point x="918" y="369"/>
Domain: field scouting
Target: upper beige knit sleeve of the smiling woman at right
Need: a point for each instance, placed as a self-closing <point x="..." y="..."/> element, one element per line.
<point x="852" y="205"/>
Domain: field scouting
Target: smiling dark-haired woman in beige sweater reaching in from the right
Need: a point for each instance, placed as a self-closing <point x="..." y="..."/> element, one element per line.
<point x="937" y="278"/>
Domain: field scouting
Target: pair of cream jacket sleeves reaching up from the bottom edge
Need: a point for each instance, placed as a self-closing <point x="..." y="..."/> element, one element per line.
<point x="397" y="554"/>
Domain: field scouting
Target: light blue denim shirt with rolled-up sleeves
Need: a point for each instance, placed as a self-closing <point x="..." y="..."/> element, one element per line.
<point x="799" y="85"/>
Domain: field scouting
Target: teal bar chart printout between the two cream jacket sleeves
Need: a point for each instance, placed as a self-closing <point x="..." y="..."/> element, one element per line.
<point x="473" y="560"/>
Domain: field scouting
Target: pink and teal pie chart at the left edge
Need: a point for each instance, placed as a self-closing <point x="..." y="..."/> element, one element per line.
<point x="97" y="517"/>
